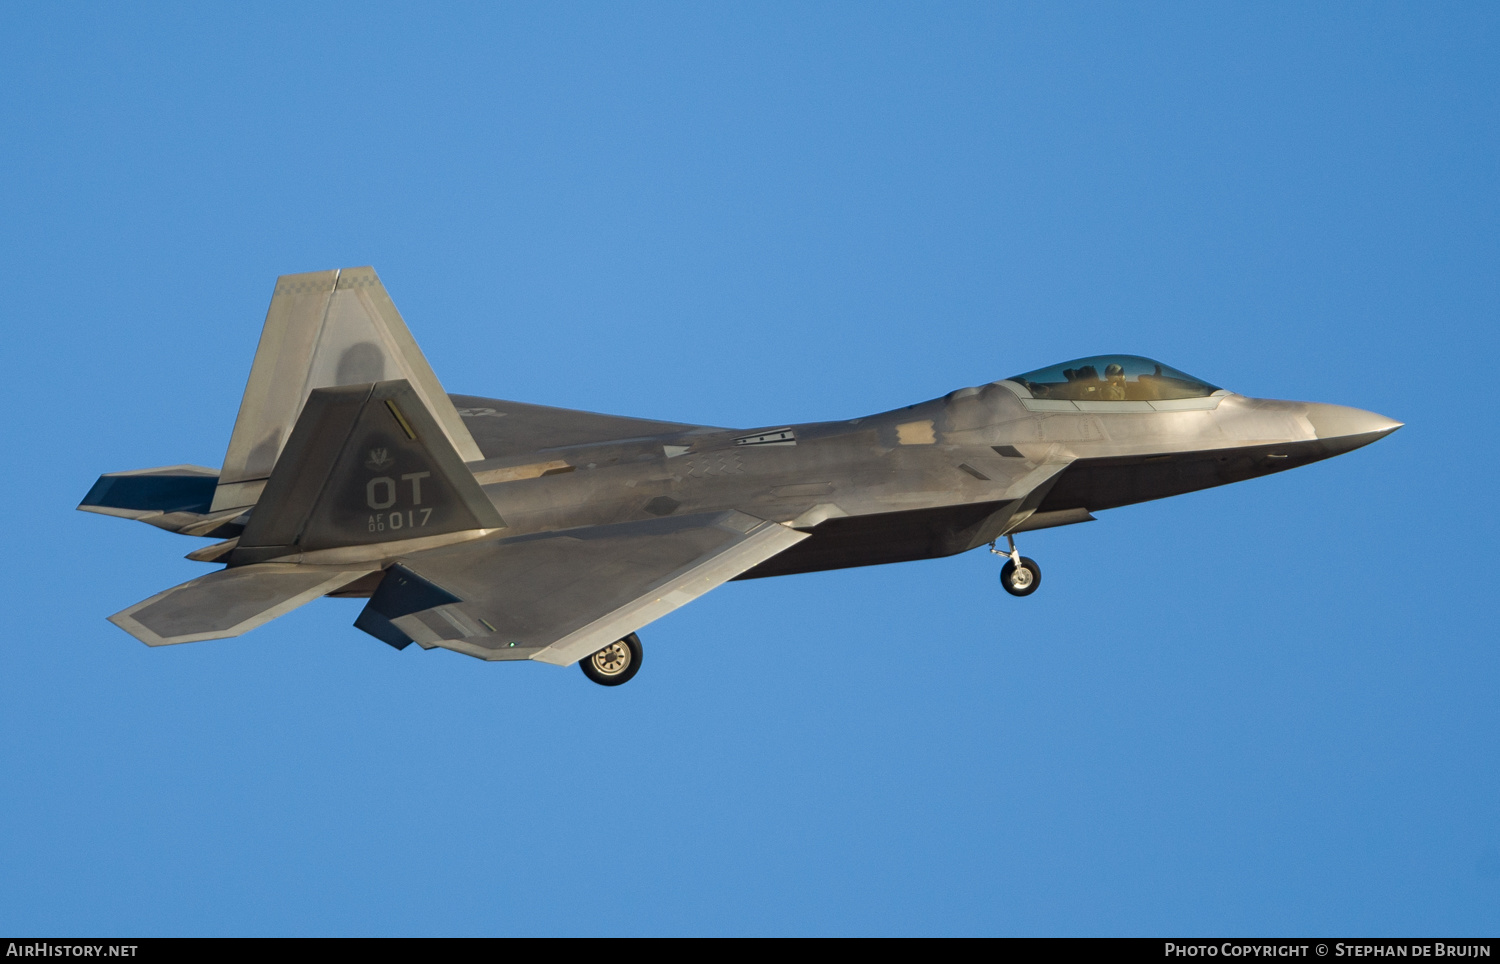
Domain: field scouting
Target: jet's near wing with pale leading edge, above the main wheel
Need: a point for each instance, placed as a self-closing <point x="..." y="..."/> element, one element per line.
<point x="560" y="596"/>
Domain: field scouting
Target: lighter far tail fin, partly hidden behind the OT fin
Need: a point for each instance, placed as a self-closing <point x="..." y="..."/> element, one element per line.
<point x="326" y="329"/>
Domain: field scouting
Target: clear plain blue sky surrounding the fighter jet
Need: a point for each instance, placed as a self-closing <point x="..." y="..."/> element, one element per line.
<point x="1261" y="710"/>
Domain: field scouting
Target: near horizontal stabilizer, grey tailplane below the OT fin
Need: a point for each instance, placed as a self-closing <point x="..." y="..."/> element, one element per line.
<point x="229" y="603"/>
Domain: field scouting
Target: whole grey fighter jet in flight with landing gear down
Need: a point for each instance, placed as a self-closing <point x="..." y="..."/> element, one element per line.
<point x="512" y="531"/>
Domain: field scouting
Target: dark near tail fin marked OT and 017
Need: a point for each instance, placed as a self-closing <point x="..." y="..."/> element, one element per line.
<point x="365" y="466"/>
